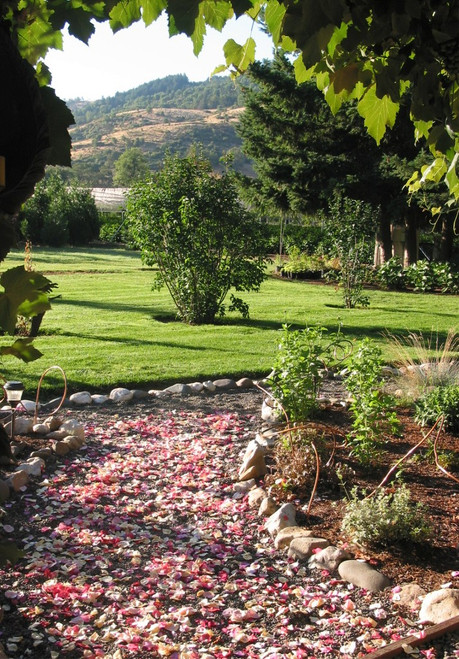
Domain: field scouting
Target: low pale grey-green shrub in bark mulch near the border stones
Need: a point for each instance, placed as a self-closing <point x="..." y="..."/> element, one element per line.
<point x="386" y="518"/>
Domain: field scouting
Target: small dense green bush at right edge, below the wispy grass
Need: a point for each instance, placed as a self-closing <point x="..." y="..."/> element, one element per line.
<point x="441" y="401"/>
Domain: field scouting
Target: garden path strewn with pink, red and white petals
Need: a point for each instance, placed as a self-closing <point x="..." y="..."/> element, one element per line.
<point x="138" y="546"/>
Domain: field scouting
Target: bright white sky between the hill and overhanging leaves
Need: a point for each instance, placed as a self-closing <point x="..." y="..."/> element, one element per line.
<point x="122" y="61"/>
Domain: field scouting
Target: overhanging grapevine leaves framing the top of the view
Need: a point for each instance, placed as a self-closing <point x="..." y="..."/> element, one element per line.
<point x="366" y="50"/>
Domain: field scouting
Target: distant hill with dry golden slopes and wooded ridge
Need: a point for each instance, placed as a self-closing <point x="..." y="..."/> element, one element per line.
<point x="171" y="114"/>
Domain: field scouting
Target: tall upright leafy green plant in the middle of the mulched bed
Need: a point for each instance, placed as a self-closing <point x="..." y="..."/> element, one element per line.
<point x="371" y="409"/>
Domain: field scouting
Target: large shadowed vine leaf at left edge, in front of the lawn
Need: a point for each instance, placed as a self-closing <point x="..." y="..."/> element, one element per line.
<point x="24" y="293"/>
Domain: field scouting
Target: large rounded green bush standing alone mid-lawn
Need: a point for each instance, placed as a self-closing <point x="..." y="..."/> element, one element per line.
<point x="191" y="224"/>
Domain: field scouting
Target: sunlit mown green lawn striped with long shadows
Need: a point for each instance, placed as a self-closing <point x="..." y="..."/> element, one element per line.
<point x="109" y="329"/>
